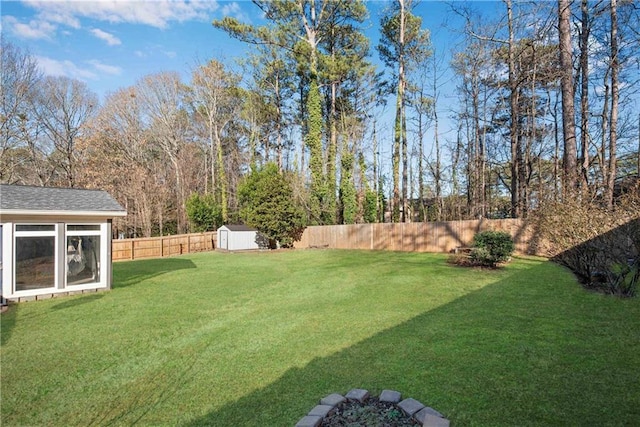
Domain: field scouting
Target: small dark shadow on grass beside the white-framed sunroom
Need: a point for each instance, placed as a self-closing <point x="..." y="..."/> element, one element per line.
<point x="128" y="273"/>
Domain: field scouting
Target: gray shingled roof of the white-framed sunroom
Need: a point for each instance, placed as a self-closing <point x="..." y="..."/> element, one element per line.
<point x="22" y="198"/>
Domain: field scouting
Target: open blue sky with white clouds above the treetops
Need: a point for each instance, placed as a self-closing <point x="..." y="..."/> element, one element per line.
<point x="111" y="44"/>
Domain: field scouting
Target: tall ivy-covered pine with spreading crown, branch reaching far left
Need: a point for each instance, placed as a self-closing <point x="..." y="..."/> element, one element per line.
<point x="320" y="41"/>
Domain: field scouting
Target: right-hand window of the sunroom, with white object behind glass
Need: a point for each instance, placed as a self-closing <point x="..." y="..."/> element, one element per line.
<point x="83" y="254"/>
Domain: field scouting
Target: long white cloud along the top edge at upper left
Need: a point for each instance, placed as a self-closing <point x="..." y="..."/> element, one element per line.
<point x="155" y="13"/>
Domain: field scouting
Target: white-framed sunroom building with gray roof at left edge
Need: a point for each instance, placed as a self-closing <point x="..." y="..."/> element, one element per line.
<point x="54" y="241"/>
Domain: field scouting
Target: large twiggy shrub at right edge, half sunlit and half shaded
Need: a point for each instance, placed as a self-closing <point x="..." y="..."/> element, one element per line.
<point x="600" y="245"/>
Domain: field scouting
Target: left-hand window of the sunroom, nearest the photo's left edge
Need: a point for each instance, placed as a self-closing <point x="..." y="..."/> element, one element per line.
<point x="35" y="256"/>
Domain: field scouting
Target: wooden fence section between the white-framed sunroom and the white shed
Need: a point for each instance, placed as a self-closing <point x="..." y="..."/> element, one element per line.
<point x="156" y="247"/>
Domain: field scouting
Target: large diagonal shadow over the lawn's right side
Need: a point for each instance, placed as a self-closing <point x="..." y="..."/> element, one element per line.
<point x="506" y="354"/>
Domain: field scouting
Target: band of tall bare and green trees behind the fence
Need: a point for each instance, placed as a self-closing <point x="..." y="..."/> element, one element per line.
<point x="547" y="110"/>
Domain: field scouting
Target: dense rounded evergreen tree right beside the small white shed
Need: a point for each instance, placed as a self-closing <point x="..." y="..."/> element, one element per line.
<point x="266" y="202"/>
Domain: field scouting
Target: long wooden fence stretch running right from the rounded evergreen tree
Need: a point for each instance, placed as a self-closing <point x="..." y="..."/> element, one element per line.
<point x="442" y="236"/>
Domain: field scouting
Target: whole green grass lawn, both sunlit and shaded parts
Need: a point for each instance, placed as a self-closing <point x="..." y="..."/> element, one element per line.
<point x="257" y="339"/>
